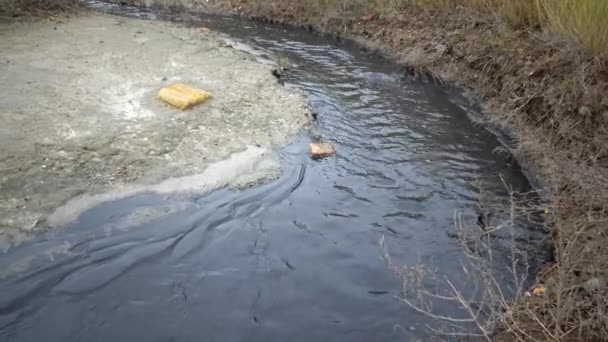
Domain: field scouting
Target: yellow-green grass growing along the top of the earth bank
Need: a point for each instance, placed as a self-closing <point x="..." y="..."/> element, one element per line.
<point x="580" y="21"/>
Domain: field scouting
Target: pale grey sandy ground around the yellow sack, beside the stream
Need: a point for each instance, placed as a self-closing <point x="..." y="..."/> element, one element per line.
<point x="79" y="114"/>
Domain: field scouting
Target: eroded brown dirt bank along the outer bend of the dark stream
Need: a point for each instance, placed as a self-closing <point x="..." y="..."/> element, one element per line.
<point x="547" y="94"/>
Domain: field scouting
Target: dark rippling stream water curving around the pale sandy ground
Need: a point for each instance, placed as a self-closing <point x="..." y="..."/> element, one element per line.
<point x="296" y="259"/>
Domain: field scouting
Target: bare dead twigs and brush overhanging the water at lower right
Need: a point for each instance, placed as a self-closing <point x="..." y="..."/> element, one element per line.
<point x="508" y="303"/>
